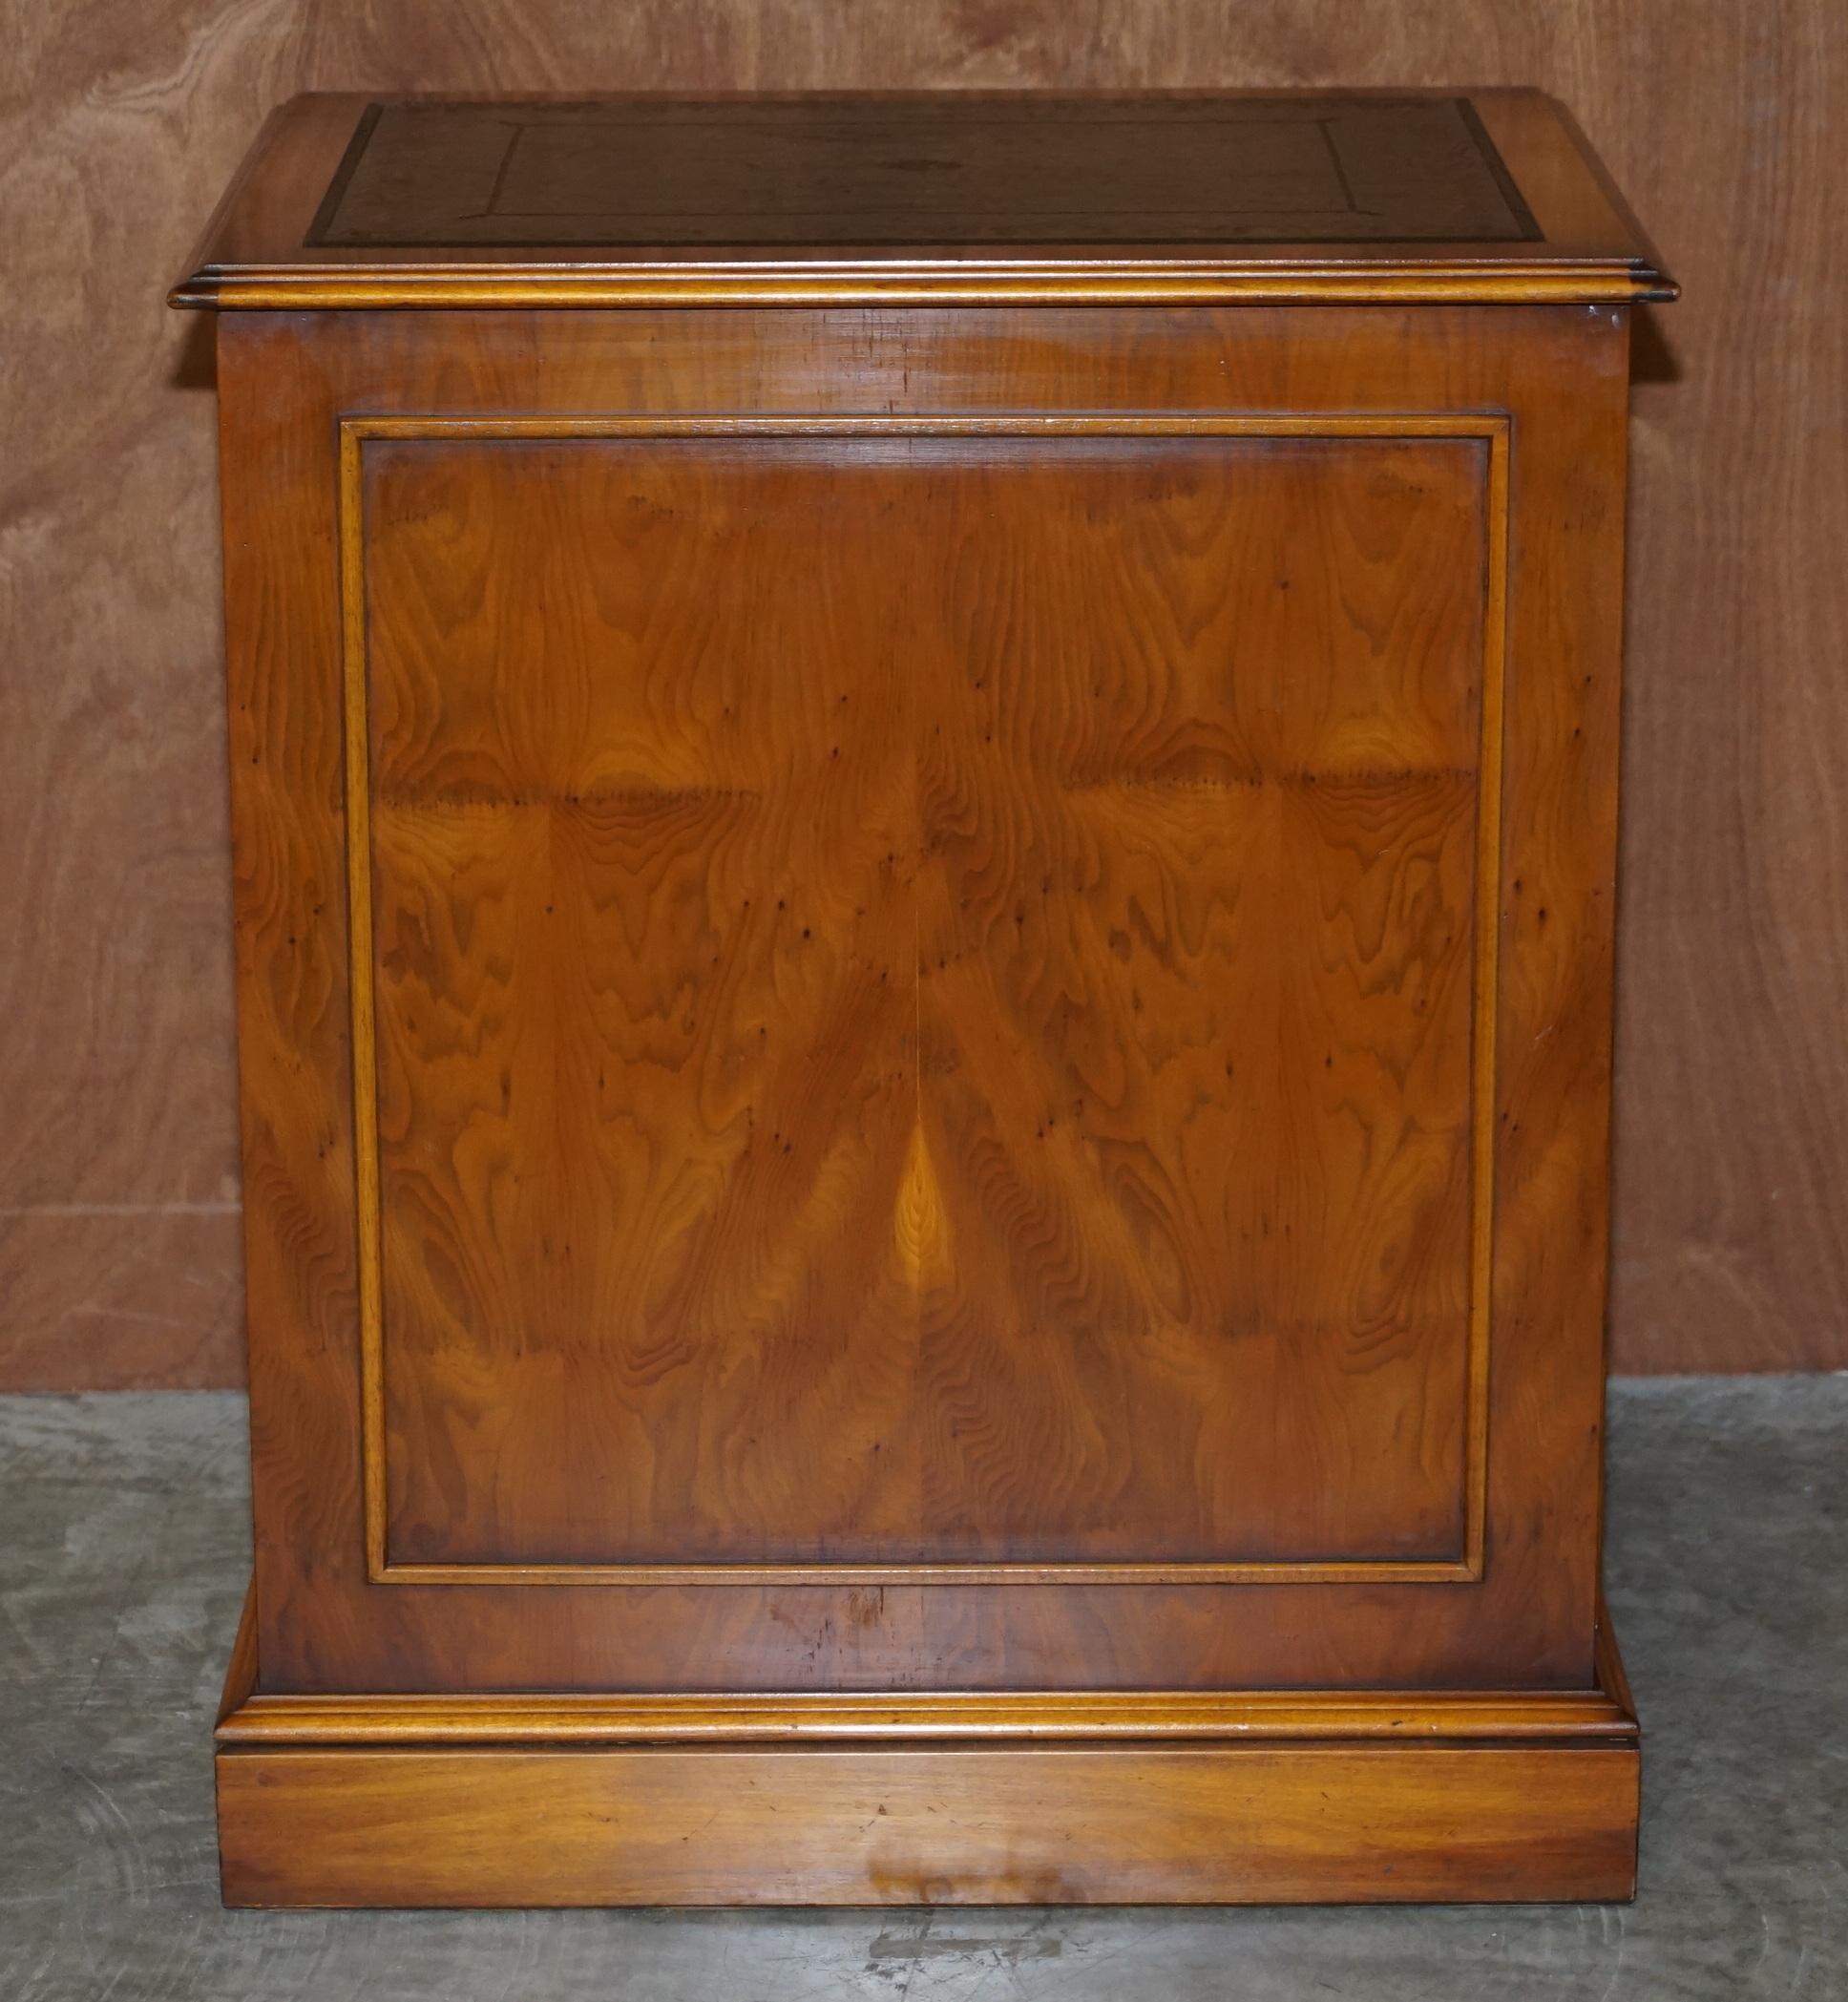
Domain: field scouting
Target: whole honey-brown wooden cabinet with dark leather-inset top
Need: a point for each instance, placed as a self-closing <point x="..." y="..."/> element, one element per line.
<point x="926" y="822"/>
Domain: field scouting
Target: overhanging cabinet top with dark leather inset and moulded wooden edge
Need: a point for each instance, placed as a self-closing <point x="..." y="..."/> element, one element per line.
<point x="980" y="197"/>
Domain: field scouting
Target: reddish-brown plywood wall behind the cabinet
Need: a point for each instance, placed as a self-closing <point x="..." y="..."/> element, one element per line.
<point x="119" y="125"/>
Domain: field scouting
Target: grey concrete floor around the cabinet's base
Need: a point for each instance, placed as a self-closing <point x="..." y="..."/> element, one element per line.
<point x="123" y="1559"/>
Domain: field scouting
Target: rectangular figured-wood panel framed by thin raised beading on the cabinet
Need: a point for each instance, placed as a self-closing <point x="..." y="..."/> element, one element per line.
<point x="922" y="996"/>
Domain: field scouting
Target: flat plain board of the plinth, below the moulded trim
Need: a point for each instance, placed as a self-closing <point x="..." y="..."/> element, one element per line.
<point x="1240" y="1825"/>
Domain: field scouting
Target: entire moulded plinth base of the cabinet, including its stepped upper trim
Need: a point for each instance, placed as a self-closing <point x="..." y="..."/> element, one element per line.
<point x="998" y="1799"/>
